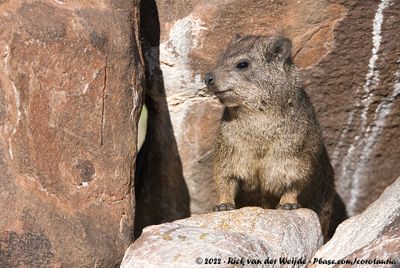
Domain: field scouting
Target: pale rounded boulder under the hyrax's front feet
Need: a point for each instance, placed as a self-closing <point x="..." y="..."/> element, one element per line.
<point x="250" y="233"/>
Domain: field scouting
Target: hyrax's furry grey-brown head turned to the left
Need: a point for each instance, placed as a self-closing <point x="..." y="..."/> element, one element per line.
<point x="254" y="72"/>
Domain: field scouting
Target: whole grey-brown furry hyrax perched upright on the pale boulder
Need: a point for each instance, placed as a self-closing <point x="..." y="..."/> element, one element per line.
<point x="269" y="151"/>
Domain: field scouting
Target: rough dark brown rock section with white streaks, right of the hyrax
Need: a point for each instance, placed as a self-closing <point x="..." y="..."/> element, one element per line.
<point x="354" y="88"/>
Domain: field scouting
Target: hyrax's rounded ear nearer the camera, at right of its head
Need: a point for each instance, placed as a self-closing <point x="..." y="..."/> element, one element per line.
<point x="279" y="50"/>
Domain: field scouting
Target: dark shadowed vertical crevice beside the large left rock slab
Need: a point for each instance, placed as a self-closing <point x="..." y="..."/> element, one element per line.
<point x="160" y="189"/>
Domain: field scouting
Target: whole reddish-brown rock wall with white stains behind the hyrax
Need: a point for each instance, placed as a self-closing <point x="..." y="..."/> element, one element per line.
<point x="347" y="51"/>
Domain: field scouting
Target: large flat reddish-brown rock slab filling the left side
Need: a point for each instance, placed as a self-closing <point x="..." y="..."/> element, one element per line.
<point x="70" y="93"/>
